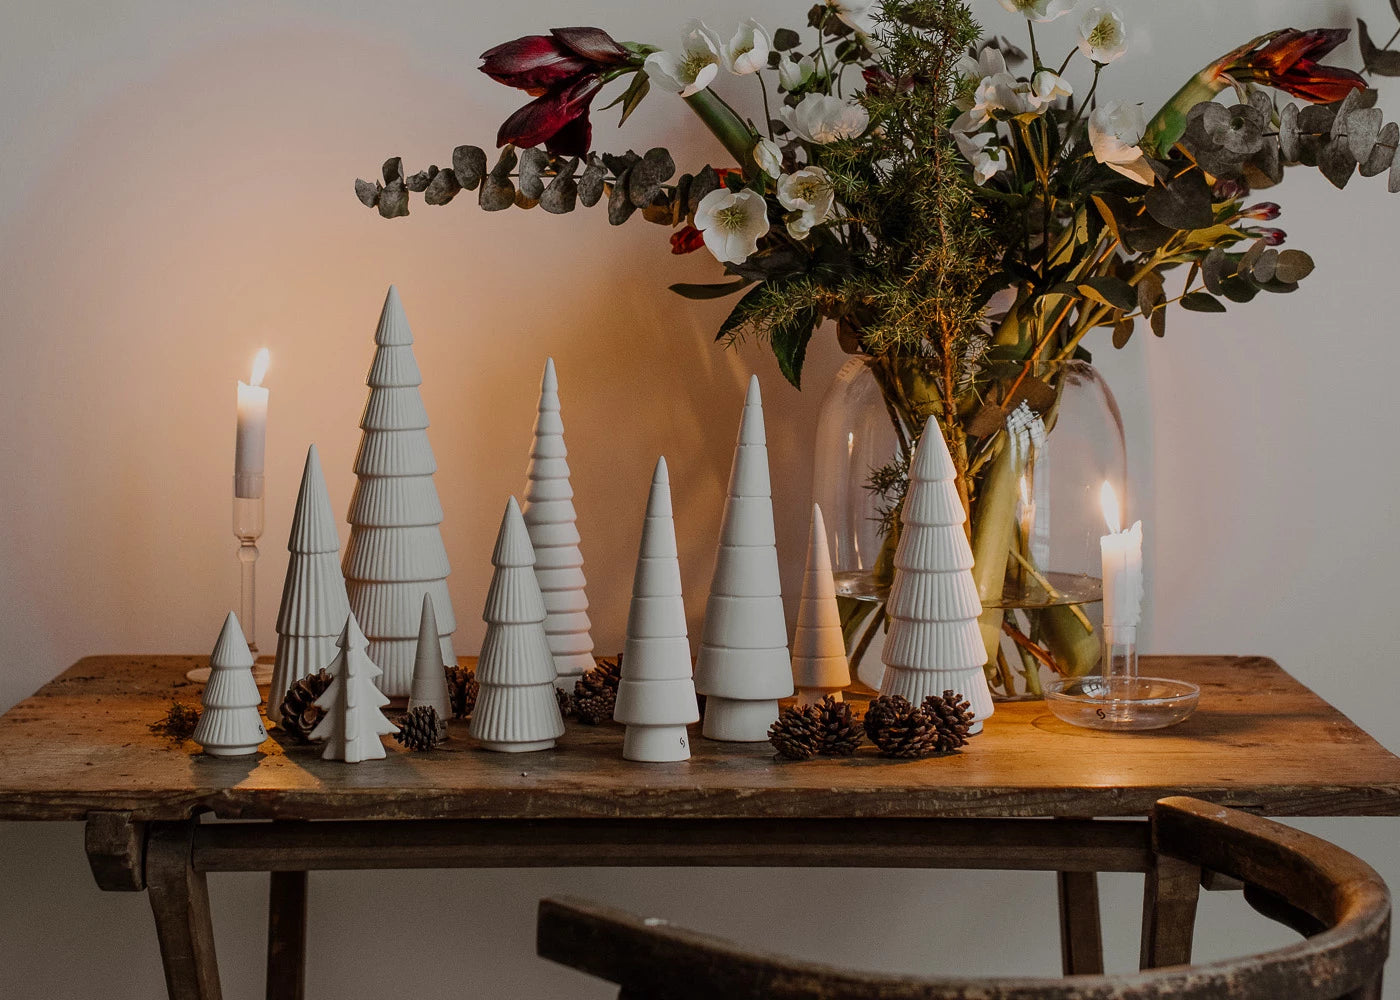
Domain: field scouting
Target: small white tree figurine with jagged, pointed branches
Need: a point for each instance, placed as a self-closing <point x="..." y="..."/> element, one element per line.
<point x="352" y="723"/>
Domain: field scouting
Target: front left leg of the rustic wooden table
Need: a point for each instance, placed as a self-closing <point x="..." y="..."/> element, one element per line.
<point x="180" y="903"/>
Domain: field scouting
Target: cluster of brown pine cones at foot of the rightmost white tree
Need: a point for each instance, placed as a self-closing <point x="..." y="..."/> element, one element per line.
<point x="897" y="728"/>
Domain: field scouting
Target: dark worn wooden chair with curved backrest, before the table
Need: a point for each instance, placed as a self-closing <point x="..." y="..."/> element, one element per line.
<point x="1335" y="900"/>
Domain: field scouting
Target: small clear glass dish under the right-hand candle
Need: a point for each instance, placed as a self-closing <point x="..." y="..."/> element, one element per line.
<point x="1122" y="704"/>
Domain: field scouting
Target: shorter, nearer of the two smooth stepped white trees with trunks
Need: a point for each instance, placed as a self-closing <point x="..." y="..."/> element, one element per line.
<point x="657" y="694"/>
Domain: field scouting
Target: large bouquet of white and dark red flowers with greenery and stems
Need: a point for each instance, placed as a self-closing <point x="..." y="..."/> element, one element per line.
<point x="960" y="209"/>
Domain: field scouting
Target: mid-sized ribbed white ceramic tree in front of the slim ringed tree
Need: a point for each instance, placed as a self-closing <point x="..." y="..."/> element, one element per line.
<point x="517" y="709"/>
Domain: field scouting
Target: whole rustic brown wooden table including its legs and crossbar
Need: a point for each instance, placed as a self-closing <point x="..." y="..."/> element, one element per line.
<point x="1030" y="795"/>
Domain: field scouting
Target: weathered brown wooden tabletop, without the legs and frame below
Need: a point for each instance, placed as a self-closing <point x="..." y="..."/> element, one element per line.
<point x="1259" y="742"/>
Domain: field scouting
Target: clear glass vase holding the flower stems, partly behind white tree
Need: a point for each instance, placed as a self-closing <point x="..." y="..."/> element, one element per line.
<point x="1037" y="442"/>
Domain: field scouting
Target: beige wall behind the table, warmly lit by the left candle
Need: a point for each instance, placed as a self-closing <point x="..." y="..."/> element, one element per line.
<point x="177" y="193"/>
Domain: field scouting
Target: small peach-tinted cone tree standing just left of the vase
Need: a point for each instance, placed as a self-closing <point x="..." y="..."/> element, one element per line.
<point x="820" y="665"/>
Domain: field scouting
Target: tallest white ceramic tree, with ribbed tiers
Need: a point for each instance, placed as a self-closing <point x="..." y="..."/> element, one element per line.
<point x="395" y="553"/>
